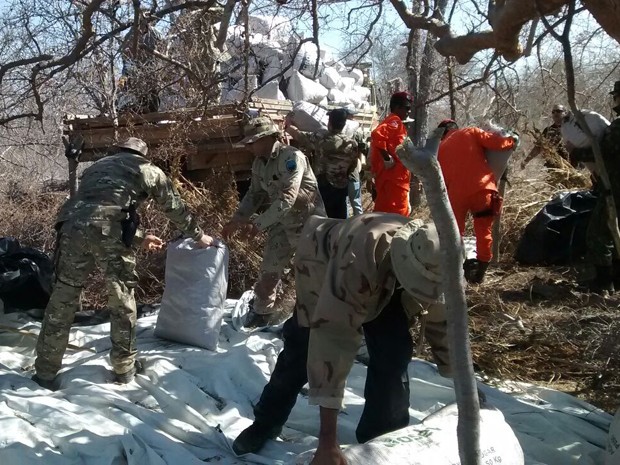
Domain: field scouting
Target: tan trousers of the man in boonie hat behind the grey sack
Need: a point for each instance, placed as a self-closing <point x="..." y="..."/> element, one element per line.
<point x="279" y="250"/>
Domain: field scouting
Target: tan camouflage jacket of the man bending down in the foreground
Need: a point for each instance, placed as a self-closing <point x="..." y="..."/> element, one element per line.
<point x="344" y="279"/>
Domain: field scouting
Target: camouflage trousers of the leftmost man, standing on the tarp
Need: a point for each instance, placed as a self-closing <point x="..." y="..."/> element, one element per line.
<point x="80" y="249"/>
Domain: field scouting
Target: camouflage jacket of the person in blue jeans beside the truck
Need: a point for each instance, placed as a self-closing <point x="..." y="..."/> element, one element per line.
<point x="336" y="155"/>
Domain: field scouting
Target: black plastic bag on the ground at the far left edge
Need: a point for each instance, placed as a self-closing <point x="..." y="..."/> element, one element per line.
<point x="25" y="276"/>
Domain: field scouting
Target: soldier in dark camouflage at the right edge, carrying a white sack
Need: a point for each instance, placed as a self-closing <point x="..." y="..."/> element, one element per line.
<point x="599" y="242"/>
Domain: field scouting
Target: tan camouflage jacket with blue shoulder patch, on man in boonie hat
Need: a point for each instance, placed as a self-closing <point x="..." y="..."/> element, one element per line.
<point x="286" y="184"/>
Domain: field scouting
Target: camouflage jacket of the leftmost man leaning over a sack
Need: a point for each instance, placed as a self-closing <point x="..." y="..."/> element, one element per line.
<point x="118" y="181"/>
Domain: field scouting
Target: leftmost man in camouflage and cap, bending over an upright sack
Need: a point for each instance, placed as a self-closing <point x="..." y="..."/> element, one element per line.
<point x="98" y="228"/>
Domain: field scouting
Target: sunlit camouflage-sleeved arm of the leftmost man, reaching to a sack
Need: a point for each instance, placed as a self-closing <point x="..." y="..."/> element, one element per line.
<point x="158" y="186"/>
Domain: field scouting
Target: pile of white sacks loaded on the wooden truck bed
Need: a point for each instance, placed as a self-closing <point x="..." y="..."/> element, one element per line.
<point x="321" y="80"/>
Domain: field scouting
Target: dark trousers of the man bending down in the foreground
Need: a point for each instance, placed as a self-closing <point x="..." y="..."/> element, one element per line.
<point x="387" y="382"/>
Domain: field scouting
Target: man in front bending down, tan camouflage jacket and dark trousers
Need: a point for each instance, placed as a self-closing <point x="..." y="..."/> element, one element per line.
<point x="371" y="272"/>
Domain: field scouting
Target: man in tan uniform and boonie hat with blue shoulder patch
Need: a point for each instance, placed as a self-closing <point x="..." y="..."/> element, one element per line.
<point x="284" y="184"/>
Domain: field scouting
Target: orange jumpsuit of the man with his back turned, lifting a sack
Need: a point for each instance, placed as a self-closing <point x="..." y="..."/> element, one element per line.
<point x="470" y="182"/>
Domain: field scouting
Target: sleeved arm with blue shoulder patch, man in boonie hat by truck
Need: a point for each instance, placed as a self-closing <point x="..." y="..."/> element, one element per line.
<point x="292" y="167"/>
